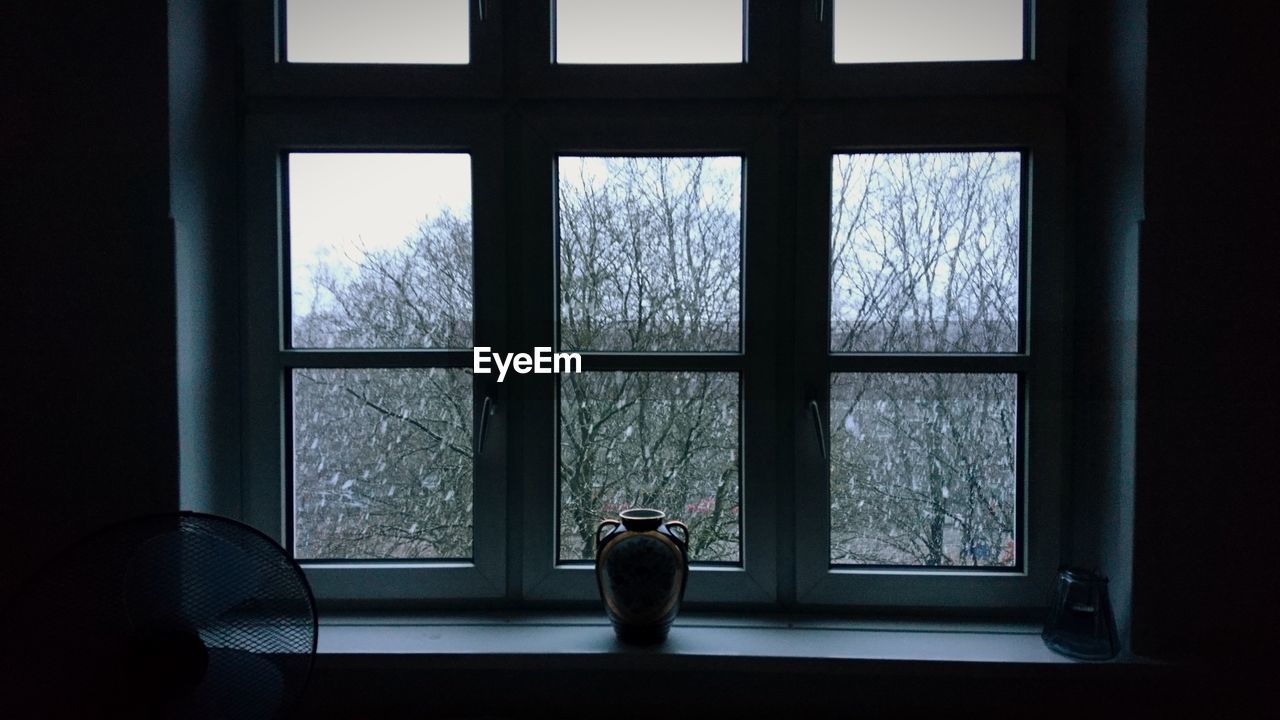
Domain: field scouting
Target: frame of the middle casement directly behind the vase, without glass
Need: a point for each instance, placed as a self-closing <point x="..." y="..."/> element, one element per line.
<point x="636" y="131"/>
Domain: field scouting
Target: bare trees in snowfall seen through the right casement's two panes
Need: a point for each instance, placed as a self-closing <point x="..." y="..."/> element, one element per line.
<point x="925" y="259"/>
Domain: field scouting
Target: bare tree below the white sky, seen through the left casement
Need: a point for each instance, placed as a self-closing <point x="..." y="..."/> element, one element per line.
<point x="382" y="458"/>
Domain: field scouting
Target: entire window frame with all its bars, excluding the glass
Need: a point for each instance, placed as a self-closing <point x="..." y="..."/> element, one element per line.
<point x="780" y="110"/>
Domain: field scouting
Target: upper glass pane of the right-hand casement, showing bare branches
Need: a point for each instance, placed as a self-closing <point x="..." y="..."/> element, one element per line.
<point x="925" y="253"/>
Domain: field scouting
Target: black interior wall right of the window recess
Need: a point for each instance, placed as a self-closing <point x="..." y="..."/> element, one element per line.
<point x="1204" y="555"/>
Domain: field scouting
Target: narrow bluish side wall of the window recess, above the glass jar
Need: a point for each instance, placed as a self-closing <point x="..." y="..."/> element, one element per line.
<point x="1108" y="90"/>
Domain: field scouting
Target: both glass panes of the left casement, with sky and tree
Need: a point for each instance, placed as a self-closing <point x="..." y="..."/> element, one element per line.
<point x="381" y="258"/>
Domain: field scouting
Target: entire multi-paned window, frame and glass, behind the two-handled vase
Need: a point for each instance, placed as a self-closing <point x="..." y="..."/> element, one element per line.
<point x="817" y="297"/>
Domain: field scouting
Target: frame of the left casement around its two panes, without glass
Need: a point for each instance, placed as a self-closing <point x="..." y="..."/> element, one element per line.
<point x="267" y="399"/>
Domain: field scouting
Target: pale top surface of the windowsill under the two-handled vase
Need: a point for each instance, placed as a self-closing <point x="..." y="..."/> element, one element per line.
<point x="724" y="642"/>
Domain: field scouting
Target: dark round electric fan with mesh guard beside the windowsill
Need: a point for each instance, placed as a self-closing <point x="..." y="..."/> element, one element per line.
<point x="176" y="616"/>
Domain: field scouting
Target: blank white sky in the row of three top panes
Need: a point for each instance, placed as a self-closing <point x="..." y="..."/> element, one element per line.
<point x="652" y="31"/>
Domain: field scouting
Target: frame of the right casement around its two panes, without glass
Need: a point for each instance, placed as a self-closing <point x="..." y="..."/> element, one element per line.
<point x="1037" y="131"/>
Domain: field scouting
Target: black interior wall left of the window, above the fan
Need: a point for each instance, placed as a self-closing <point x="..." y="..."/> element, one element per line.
<point x="90" y="388"/>
